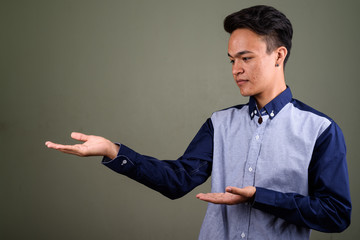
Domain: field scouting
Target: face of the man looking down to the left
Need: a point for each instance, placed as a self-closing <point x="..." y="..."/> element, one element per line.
<point x="253" y="68"/>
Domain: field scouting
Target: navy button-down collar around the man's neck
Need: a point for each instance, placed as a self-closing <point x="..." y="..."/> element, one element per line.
<point x="273" y="107"/>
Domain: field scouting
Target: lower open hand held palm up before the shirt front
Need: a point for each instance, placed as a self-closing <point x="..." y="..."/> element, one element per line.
<point x="232" y="195"/>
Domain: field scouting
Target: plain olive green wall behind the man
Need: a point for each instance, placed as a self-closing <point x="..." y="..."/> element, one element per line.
<point x="147" y="74"/>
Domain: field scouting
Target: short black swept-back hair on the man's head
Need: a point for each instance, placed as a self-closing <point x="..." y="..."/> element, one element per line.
<point x="265" y="21"/>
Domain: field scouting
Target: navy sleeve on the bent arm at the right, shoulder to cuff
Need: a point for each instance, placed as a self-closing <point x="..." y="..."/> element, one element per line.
<point x="328" y="206"/>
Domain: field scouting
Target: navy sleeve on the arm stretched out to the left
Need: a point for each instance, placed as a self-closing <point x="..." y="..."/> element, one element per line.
<point x="172" y="178"/>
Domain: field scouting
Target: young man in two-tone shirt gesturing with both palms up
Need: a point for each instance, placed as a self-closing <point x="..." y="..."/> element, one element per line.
<point x="281" y="163"/>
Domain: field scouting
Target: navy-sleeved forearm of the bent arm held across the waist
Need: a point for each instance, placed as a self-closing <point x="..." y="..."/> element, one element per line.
<point x="326" y="214"/>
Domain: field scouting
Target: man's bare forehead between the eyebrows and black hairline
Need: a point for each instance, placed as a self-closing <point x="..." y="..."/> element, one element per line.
<point x="246" y="40"/>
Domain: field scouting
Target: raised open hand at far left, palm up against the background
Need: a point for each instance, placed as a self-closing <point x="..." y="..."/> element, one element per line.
<point x="92" y="146"/>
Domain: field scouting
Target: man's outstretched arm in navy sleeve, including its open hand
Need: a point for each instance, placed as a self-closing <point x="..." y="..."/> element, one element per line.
<point x="171" y="178"/>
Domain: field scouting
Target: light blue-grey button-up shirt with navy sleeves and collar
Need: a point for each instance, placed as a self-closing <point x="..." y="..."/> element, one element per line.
<point x="295" y="157"/>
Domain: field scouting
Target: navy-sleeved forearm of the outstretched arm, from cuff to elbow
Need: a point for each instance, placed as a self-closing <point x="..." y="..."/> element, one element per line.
<point x="171" y="178"/>
